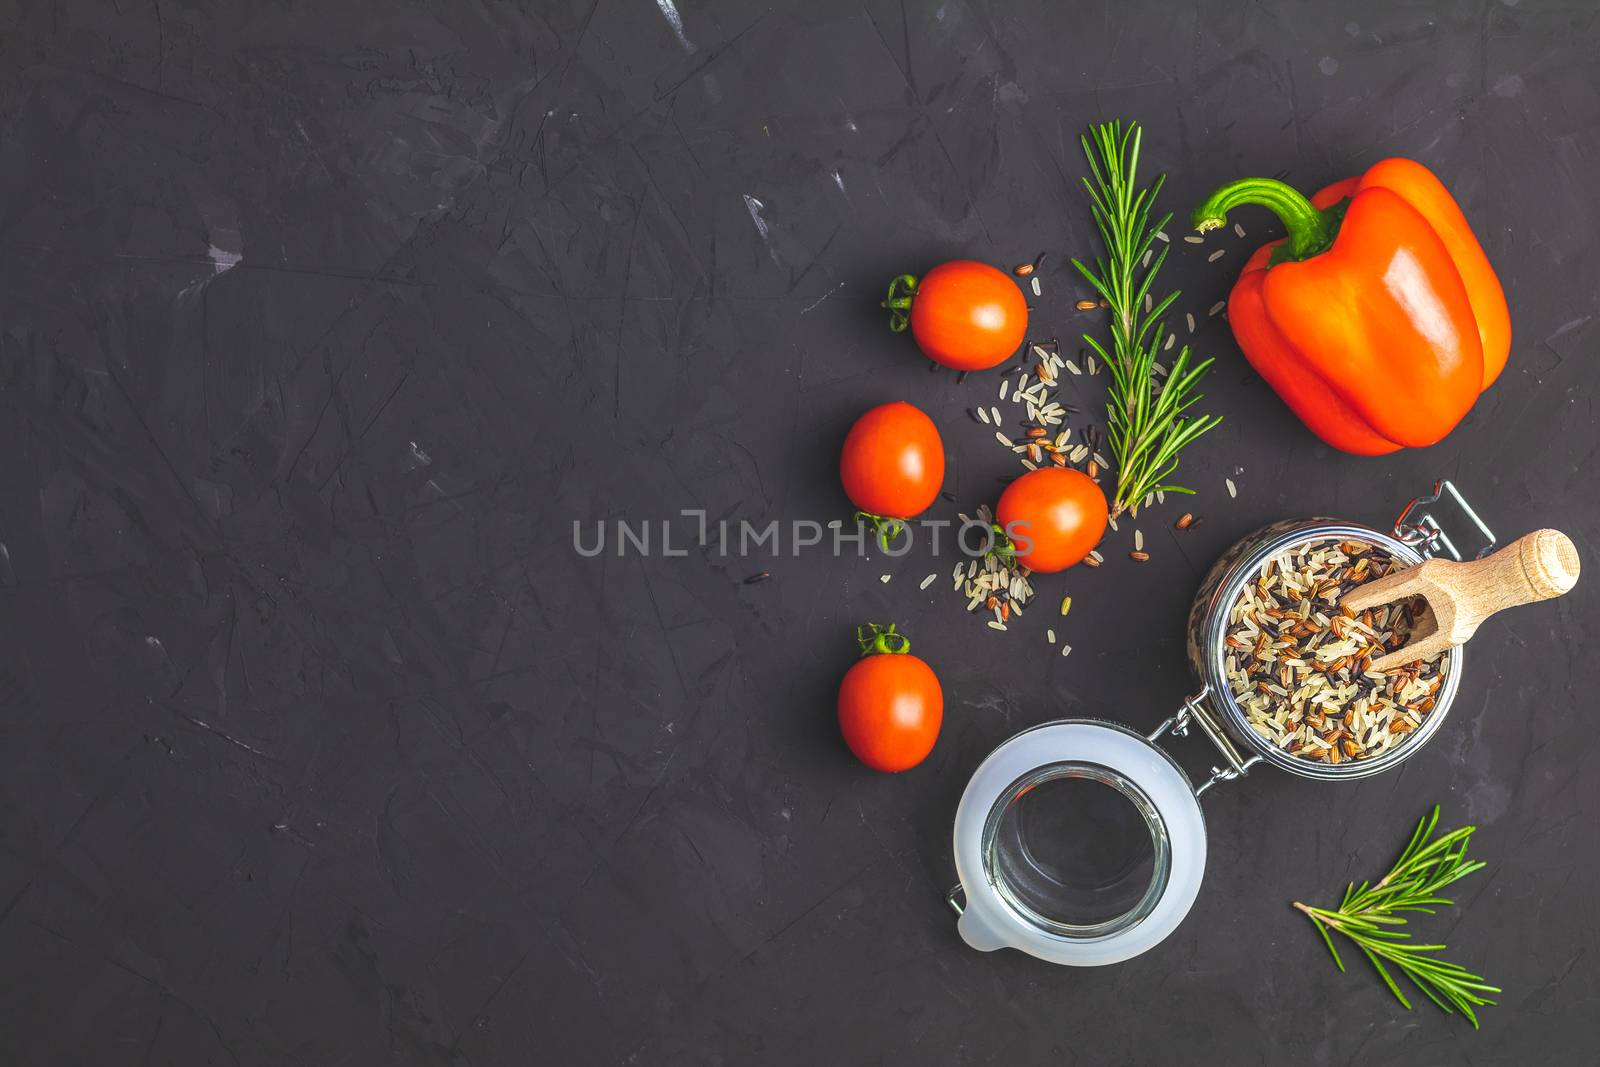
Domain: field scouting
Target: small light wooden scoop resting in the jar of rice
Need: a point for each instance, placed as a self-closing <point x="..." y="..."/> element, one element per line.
<point x="1460" y="596"/>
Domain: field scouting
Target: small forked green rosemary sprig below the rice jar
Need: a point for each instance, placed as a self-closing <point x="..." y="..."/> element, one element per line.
<point x="1372" y="911"/>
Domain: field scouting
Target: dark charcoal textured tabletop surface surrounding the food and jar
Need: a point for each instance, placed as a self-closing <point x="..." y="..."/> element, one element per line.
<point x="322" y="322"/>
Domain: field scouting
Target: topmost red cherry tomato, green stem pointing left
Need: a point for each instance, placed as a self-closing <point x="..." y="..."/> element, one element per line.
<point x="967" y="316"/>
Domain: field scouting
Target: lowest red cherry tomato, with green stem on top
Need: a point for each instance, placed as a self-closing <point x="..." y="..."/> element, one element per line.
<point x="890" y="705"/>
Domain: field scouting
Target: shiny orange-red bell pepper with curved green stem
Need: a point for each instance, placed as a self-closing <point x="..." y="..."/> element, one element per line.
<point x="1378" y="319"/>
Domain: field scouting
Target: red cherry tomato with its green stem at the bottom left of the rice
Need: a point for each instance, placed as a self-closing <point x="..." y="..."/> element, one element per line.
<point x="894" y="462"/>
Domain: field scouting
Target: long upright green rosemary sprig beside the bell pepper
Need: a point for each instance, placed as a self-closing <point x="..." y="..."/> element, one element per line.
<point x="1145" y="417"/>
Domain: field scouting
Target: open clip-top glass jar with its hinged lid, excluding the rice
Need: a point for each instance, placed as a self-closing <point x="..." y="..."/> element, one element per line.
<point x="1023" y="889"/>
